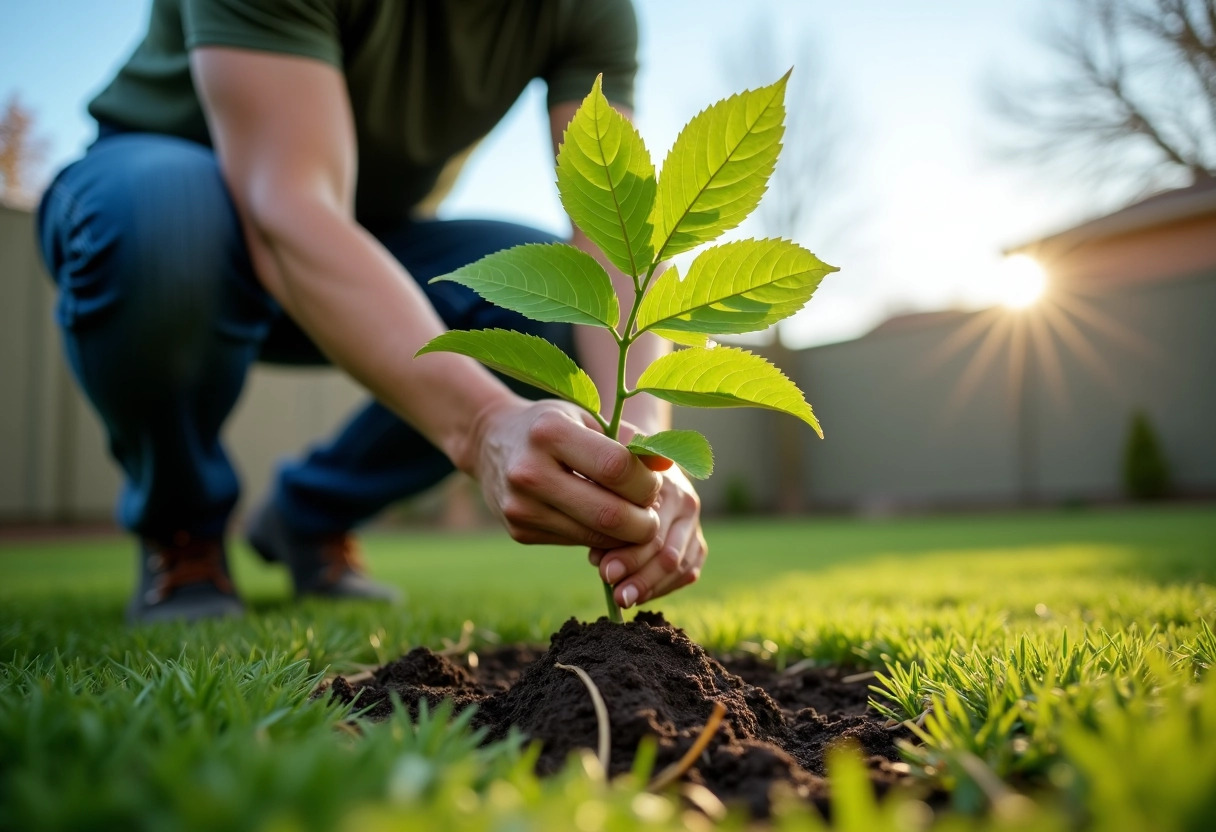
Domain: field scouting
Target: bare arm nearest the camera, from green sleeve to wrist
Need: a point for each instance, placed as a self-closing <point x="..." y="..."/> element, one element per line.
<point x="285" y="138"/>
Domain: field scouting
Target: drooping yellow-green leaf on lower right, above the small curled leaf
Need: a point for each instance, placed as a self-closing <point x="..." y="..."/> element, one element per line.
<point x="725" y="378"/>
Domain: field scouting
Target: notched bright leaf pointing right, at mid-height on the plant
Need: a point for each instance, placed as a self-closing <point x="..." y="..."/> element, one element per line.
<point x="742" y="286"/>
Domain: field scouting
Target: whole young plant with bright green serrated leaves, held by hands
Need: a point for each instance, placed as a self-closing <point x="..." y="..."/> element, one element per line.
<point x="712" y="179"/>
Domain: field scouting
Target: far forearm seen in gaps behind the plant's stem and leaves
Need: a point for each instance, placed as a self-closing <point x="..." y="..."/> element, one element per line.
<point x="600" y="356"/>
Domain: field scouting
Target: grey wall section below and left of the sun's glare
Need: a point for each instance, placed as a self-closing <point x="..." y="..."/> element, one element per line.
<point x="905" y="424"/>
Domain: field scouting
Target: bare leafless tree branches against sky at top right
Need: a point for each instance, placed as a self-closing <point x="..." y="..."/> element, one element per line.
<point x="1131" y="100"/>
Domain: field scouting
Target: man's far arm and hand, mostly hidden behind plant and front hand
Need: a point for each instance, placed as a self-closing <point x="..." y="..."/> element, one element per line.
<point x="675" y="556"/>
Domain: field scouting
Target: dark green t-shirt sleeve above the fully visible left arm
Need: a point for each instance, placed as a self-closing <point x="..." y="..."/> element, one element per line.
<point x="307" y="29"/>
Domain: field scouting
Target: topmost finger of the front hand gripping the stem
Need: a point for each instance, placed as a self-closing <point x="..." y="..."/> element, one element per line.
<point x="598" y="458"/>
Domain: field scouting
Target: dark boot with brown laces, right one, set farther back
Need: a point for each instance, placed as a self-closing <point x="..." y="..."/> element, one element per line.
<point x="323" y="566"/>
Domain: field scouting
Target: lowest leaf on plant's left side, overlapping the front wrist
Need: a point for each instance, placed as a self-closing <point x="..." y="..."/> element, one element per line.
<point x="527" y="358"/>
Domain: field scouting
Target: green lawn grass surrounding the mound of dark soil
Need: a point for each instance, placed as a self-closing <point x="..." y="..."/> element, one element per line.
<point x="1063" y="660"/>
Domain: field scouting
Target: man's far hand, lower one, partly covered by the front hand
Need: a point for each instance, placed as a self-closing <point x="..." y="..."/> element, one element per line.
<point x="672" y="560"/>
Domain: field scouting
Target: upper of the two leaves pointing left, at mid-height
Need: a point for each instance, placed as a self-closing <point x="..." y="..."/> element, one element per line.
<point x="545" y="283"/>
